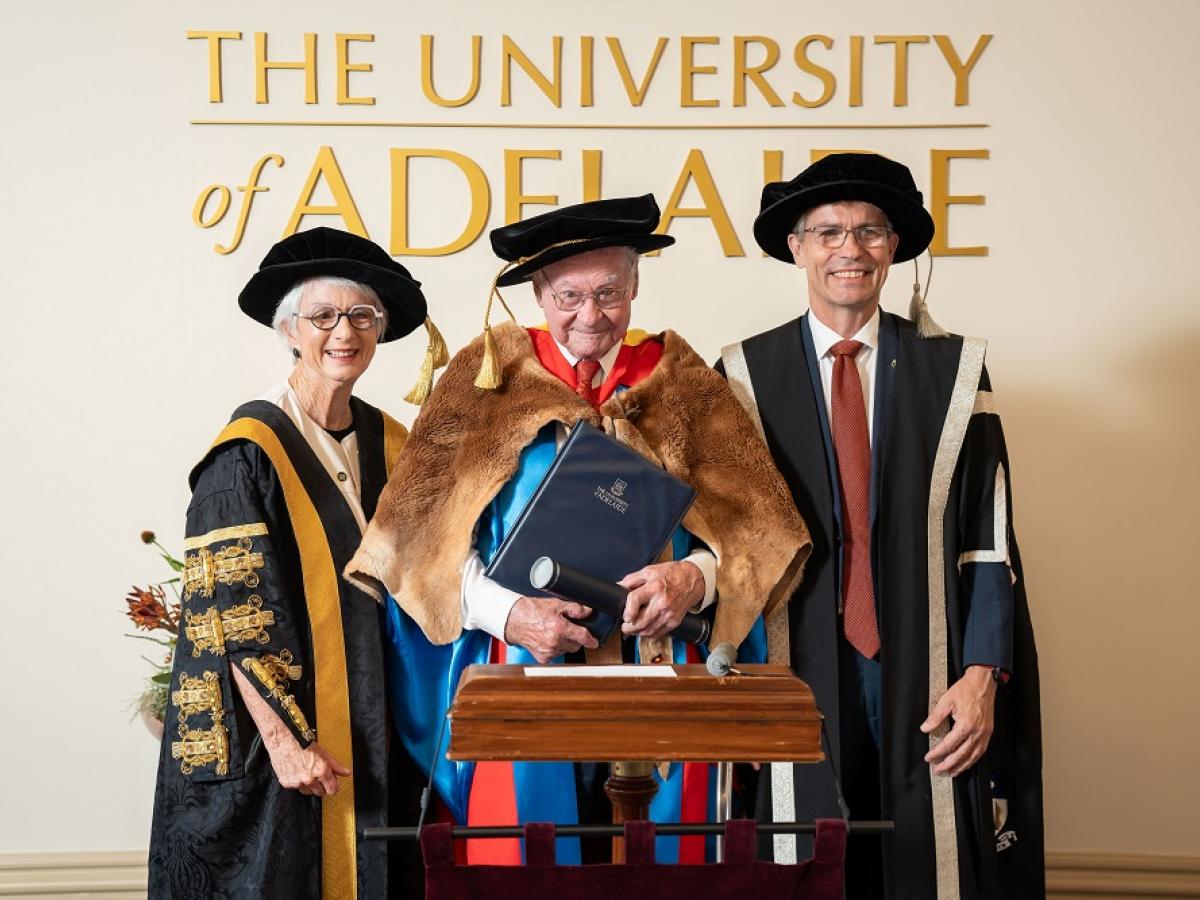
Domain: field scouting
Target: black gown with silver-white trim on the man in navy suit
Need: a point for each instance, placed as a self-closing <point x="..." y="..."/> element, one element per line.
<point x="994" y="812"/>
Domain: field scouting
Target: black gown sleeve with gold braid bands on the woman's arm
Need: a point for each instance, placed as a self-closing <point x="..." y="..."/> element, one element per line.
<point x="243" y="607"/>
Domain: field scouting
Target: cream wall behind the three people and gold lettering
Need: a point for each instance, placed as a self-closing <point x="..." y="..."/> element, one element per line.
<point x="1085" y="296"/>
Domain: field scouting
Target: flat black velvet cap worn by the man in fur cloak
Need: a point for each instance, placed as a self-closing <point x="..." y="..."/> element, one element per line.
<point x="567" y="232"/>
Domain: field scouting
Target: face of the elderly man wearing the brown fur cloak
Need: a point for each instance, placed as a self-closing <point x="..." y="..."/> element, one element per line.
<point x="589" y="299"/>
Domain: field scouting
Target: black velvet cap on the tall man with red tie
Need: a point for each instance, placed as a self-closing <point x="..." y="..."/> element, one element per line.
<point x="847" y="177"/>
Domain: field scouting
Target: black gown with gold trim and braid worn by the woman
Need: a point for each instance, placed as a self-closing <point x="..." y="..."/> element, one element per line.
<point x="268" y="535"/>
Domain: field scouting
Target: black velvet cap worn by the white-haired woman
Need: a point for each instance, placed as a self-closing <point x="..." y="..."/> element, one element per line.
<point x="328" y="251"/>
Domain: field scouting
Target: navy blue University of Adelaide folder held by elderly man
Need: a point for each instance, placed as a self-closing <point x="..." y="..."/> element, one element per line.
<point x="602" y="508"/>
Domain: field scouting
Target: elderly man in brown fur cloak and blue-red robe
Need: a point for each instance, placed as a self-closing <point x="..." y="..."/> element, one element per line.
<point x="478" y="451"/>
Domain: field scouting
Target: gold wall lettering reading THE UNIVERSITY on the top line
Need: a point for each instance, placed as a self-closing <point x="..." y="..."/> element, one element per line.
<point x="722" y="74"/>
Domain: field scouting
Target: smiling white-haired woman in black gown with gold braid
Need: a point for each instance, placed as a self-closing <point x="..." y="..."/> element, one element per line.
<point x="278" y="691"/>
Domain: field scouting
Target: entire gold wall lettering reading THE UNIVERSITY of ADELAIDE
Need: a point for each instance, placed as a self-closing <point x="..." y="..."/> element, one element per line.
<point x="713" y="71"/>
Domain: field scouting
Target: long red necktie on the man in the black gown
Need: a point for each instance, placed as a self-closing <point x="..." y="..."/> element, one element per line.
<point x="853" y="447"/>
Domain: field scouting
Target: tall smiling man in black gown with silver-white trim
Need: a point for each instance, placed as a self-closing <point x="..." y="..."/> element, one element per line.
<point x="911" y="626"/>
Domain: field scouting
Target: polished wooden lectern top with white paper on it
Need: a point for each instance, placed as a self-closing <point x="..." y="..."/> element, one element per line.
<point x="767" y="716"/>
